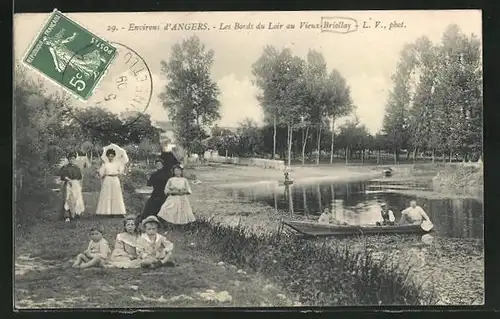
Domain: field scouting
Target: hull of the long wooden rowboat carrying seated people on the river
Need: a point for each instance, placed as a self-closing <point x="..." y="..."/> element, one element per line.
<point x="315" y="229"/>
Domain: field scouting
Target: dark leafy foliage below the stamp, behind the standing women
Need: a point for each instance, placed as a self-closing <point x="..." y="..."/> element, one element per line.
<point x="48" y="127"/>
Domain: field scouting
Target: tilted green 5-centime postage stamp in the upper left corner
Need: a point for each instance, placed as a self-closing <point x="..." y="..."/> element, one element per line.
<point x="70" y="55"/>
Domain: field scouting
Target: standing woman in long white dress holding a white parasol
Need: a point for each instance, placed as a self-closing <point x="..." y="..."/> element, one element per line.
<point x="111" y="196"/>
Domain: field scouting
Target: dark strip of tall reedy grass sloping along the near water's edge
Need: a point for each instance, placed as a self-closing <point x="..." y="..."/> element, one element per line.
<point x="320" y="275"/>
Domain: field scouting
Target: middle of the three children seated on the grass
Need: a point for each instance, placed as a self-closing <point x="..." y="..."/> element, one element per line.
<point x="124" y="254"/>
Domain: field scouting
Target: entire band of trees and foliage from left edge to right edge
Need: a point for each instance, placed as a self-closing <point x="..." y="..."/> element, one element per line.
<point x="434" y="108"/>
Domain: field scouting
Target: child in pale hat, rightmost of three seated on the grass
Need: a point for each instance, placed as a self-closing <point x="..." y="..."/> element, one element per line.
<point x="153" y="249"/>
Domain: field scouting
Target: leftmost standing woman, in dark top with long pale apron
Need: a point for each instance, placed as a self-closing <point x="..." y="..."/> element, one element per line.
<point x="71" y="176"/>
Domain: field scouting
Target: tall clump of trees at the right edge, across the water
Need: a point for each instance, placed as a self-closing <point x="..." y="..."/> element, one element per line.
<point x="436" y="103"/>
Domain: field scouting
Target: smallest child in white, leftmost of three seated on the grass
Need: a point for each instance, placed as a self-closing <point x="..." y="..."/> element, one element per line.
<point x="97" y="252"/>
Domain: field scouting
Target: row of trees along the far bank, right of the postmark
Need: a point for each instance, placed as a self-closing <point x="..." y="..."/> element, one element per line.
<point x="434" y="107"/>
